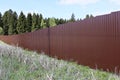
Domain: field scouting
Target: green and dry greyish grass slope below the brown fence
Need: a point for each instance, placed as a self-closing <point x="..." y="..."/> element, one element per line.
<point x="19" y="64"/>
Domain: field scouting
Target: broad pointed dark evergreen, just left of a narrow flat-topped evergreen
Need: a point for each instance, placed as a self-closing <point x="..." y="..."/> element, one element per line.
<point x="21" y="25"/>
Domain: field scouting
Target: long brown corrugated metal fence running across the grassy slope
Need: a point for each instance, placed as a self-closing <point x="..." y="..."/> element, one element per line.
<point x="94" y="42"/>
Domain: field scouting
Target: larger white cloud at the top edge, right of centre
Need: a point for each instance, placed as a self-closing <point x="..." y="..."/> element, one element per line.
<point x="78" y="2"/>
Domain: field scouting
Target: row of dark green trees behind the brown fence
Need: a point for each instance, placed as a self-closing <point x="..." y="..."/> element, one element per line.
<point x="11" y="23"/>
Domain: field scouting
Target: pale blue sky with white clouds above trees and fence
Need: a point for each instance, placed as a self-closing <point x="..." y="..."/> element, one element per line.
<point x="61" y="8"/>
